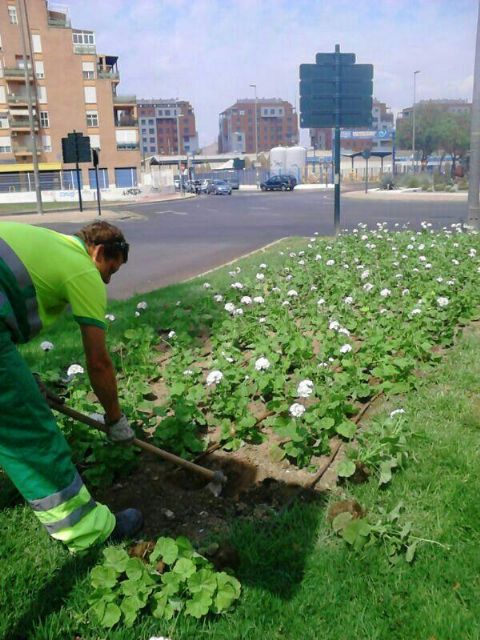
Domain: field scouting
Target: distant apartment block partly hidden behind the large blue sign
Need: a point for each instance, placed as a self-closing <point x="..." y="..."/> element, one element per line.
<point x="378" y="137"/>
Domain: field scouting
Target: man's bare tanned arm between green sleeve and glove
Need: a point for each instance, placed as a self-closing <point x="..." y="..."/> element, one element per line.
<point x="101" y="371"/>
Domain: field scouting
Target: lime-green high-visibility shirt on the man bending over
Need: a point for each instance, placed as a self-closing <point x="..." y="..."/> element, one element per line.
<point x="41" y="272"/>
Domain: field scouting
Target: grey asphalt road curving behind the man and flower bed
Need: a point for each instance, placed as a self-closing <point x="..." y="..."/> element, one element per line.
<point x="178" y="240"/>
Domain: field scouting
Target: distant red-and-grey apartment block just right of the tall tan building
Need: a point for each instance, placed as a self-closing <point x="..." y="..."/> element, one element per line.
<point x="167" y="127"/>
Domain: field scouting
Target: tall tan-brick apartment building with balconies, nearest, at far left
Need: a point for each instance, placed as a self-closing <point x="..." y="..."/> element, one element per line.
<point x="73" y="88"/>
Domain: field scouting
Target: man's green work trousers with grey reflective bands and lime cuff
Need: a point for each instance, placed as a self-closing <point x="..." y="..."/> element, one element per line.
<point x="37" y="458"/>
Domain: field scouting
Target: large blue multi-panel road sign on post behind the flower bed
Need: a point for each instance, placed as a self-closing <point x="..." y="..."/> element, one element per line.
<point x="336" y="92"/>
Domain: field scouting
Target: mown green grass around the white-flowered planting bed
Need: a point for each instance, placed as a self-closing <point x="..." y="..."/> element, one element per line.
<point x="299" y="581"/>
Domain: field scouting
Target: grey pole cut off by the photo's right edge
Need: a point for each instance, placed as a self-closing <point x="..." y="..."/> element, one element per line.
<point x="474" y="175"/>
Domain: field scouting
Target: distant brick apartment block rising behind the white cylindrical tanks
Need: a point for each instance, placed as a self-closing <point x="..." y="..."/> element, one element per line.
<point x="276" y="122"/>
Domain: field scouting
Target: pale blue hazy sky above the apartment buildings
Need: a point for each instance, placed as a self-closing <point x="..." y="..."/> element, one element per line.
<point x="209" y="51"/>
